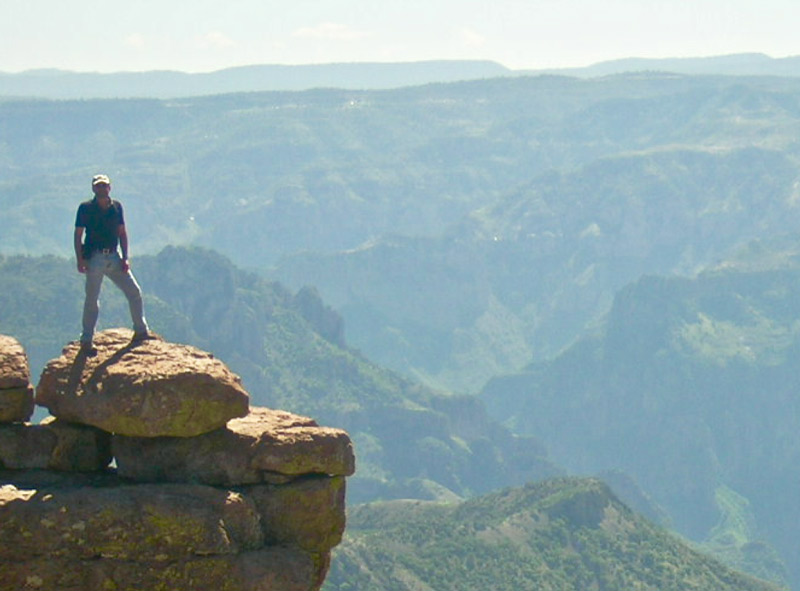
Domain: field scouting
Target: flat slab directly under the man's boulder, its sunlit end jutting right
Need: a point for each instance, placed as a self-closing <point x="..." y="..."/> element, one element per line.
<point x="264" y="446"/>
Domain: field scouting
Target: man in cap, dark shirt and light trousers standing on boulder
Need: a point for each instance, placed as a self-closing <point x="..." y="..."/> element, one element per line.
<point x="102" y="221"/>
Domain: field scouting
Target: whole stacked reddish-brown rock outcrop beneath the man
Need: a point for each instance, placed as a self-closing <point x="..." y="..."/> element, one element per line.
<point x="205" y="494"/>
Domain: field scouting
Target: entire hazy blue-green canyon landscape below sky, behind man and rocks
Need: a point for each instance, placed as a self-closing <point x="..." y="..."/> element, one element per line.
<point x="490" y="278"/>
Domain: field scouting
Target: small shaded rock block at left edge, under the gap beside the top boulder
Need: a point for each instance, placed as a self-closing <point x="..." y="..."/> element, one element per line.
<point x="55" y="445"/>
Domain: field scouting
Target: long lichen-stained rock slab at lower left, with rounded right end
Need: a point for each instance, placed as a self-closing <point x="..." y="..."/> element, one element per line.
<point x="127" y="522"/>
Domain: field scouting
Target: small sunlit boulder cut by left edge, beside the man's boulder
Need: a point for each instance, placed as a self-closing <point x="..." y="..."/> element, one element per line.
<point x="16" y="392"/>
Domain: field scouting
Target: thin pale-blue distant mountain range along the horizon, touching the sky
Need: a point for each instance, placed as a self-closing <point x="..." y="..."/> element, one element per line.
<point x="60" y="84"/>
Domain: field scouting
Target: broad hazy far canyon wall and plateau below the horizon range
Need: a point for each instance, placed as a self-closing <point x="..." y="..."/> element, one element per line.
<point x="534" y="197"/>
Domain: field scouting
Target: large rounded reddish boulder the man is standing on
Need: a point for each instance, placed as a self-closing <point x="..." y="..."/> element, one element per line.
<point x="151" y="388"/>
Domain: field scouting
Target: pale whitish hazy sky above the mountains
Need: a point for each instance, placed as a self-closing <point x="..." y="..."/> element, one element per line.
<point x="206" y="35"/>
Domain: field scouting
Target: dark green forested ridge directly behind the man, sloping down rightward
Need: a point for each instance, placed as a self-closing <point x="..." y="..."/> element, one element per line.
<point x="290" y="351"/>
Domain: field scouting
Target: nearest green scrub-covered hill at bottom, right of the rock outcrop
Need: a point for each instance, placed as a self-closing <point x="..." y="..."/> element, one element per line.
<point x="561" y="535"/>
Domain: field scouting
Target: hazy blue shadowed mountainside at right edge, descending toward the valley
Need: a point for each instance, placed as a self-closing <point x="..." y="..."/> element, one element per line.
<point x="691" y="388"/>
